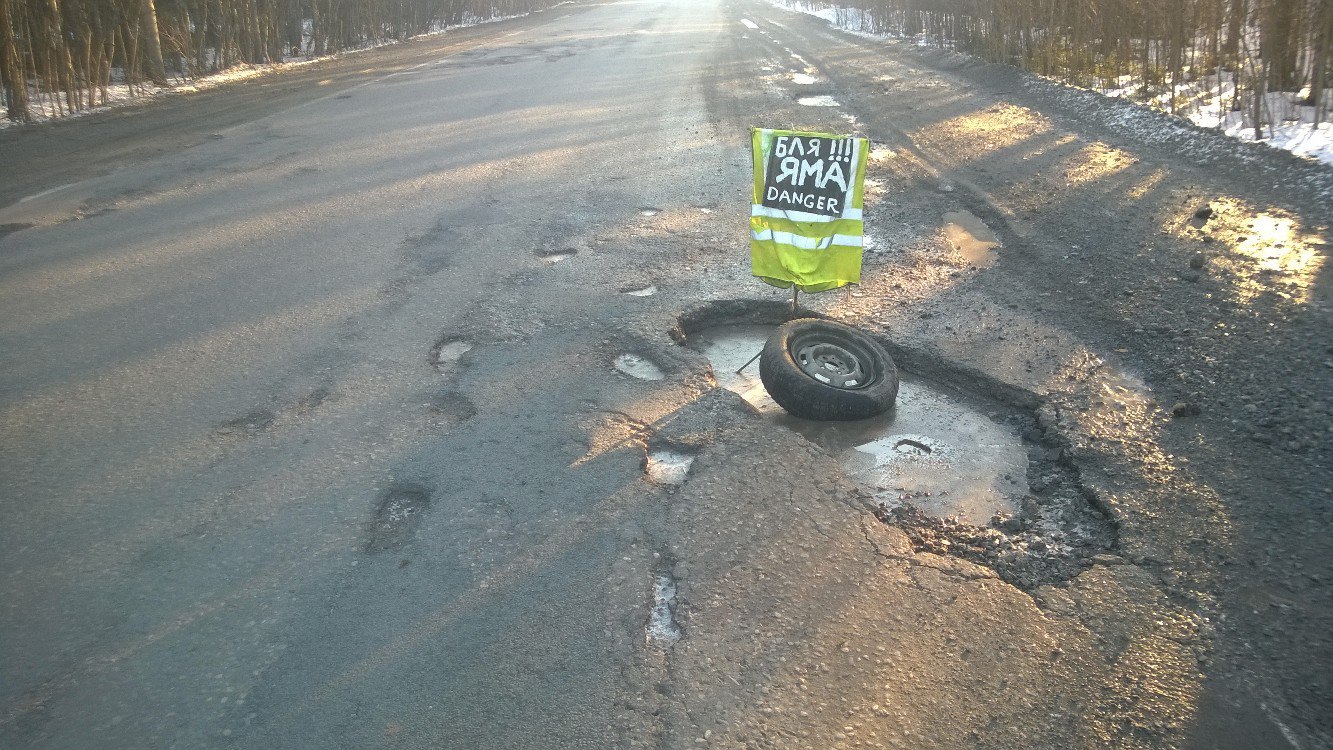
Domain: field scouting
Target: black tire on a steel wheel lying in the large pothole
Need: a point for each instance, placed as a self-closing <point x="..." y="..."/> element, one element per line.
<point x="819" y="370"/>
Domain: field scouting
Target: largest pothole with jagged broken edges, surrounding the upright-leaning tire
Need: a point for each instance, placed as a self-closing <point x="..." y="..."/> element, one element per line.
<point x="964" y="474"/>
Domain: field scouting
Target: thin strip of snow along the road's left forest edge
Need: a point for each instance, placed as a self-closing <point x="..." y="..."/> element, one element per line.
<point x="47" y="107"/>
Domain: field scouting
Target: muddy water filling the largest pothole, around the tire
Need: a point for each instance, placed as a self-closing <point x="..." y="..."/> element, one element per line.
<point x="934" y="451"/>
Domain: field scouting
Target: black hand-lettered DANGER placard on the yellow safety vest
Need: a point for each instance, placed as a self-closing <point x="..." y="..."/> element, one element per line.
<point x="808" y="174"/>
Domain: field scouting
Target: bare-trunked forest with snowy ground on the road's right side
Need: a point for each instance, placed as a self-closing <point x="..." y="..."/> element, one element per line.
<point x="1267" y="59"/>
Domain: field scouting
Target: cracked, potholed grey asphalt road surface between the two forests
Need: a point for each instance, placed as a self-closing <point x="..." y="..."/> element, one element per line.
<point x="313" y="436"/>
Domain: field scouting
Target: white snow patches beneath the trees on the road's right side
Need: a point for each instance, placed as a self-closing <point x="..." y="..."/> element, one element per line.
<point x="1208" y="101"/>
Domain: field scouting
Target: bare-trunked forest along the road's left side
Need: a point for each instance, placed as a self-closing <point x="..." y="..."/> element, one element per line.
<point x="63" y="57"/>
